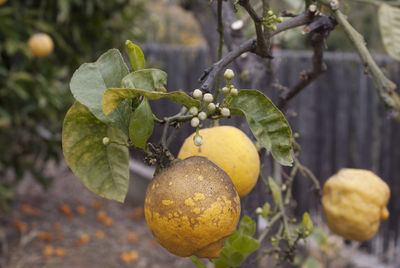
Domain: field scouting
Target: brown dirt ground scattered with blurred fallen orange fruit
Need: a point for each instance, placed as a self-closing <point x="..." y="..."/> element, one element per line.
<point x="68" y="226"/>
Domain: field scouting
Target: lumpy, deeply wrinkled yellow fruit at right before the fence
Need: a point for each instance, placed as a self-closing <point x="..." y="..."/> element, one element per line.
<point x="354" y="203"/>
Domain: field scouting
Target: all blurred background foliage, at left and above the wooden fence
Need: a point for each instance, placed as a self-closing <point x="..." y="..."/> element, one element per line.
<point x="34" y="93"/>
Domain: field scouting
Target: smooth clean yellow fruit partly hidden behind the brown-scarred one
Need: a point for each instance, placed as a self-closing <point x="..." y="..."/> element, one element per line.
<point x="231" y="150"/>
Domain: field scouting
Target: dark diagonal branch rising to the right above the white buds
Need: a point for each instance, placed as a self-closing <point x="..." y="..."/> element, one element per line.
<point x="209" y="76"/>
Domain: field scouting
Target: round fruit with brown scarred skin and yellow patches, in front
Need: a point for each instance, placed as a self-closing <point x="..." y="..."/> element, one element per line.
<point x="192" y="207"/>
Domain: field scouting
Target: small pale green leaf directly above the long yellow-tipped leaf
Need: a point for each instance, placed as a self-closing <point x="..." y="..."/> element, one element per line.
<point x="148" y="79"/>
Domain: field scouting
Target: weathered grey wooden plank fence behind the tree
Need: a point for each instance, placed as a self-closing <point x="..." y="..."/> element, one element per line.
<point x="340" y="119"/>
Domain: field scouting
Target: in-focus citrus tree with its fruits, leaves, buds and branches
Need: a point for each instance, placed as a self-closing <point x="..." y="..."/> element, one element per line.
<point x="193" y="201"/>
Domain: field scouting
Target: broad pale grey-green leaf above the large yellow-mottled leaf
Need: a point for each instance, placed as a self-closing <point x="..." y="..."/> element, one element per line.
<point x="91" y="80"/>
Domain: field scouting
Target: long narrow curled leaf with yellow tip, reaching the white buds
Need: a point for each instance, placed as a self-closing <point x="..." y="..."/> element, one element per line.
<point x="113" y="97"/>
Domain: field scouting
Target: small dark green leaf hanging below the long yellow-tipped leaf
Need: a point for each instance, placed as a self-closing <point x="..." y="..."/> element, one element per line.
<point x="141" y="124"/>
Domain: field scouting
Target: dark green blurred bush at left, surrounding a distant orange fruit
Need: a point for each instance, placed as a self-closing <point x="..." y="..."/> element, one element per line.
<point x="34" y="95"/>
